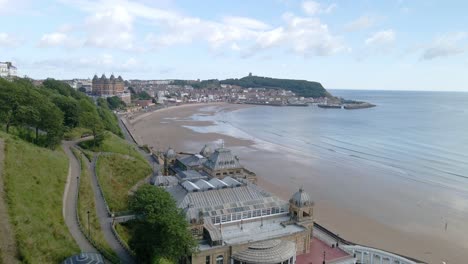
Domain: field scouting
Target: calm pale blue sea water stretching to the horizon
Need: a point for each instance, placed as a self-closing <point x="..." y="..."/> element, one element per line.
<point x="422" y="136"/>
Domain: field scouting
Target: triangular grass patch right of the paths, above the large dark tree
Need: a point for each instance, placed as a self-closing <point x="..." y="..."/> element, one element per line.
<point x="117" y="174"/>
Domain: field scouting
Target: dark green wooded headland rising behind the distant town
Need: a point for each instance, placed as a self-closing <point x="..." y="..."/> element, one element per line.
<point x="299" y="87"/>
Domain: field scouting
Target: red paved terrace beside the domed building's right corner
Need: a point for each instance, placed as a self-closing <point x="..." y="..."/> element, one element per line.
<point x="315" y="255"/>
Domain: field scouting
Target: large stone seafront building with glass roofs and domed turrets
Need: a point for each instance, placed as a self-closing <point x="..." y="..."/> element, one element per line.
<point x="235" y="221"/>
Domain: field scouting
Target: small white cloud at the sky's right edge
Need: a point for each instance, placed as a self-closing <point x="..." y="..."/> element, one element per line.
<point x="444" y="46"/>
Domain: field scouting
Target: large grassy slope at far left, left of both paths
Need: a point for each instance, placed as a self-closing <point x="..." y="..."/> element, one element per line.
<point x="34" y="181"/>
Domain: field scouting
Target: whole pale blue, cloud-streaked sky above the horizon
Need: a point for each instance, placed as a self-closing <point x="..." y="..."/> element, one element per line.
<point x="361" y="44"/>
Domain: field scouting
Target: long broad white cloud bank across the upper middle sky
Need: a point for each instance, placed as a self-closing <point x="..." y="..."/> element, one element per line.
<point x="111" y="25"/>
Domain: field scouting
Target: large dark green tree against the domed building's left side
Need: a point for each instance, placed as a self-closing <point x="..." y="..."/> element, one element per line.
<point x="162" y="231"/>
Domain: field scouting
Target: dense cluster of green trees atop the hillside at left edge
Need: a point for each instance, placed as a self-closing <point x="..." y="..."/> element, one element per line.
<point x="42" y="114"/>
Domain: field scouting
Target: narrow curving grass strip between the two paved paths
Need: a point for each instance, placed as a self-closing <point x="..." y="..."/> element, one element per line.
<point x="85" y="204"/>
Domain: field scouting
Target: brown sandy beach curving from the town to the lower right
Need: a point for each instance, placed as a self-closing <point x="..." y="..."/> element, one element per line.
<point x="283" y="174"/>
